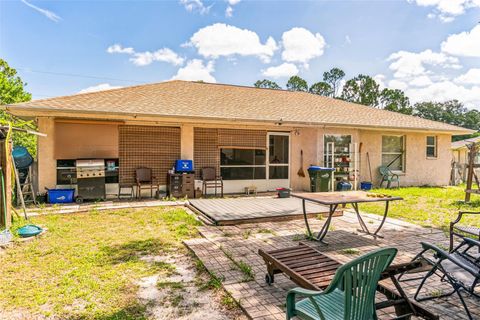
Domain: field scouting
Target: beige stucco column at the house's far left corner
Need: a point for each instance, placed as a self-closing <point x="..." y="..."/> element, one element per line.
<point x="46" y="154"/>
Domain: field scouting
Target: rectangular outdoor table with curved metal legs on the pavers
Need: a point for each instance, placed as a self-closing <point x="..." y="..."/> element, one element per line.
<point x="334" y="199"/>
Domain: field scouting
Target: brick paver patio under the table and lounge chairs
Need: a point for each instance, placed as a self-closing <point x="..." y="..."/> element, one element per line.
<point x="220" y="245"/>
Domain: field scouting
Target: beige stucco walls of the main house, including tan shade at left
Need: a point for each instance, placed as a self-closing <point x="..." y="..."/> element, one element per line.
<point x="419" y="169"/>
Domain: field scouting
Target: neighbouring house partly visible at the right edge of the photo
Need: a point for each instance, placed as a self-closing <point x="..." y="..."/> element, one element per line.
<point x="460" y="159"/>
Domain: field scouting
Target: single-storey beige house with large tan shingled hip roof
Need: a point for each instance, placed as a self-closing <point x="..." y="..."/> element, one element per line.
<point x="251" y="136"/>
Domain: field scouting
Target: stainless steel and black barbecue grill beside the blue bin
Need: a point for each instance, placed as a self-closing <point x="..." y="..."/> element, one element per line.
<point x="90" y="179"/>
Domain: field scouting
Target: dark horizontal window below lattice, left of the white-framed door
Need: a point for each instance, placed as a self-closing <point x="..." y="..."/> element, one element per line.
<point x="242" y="164"/>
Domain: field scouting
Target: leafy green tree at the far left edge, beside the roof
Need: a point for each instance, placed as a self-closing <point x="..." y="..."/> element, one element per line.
<point x="12" y="91"/>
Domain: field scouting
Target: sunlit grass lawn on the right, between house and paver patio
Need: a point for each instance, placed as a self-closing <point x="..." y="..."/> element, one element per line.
<point x="428" y="206"/>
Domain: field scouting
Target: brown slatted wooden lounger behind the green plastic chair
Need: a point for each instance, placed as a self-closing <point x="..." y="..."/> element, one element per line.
<point x="311" y="269"/>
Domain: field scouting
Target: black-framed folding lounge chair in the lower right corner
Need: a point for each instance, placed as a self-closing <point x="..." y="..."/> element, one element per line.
<point x="460" y="268"/>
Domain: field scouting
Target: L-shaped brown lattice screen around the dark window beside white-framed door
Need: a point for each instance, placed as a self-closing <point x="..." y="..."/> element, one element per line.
<point x="207" y="142"/>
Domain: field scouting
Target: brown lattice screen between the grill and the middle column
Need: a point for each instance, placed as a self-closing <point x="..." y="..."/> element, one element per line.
<point x="147" y="146"/>
